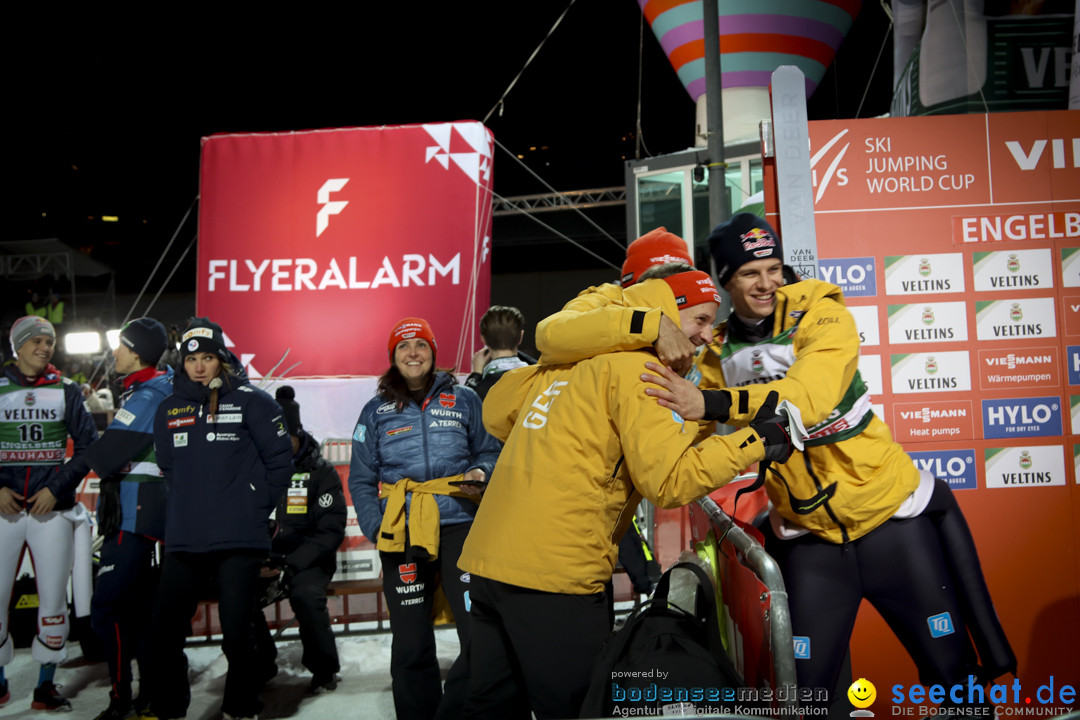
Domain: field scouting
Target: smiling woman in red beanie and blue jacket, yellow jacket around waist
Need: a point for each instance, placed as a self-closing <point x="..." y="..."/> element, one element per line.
<point x="423" y="439"/>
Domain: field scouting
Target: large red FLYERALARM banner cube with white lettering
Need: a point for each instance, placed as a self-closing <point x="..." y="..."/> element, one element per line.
<point x="317" y="242"/>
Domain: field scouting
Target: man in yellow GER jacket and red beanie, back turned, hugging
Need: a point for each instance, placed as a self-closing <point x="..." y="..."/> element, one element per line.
<point x="584" y="445"/>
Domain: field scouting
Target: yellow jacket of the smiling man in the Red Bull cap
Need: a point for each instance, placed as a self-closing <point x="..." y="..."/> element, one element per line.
<point x="853" y="477"/>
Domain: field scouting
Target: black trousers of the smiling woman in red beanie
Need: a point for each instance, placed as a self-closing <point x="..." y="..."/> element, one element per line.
<point x="410" y="586"/>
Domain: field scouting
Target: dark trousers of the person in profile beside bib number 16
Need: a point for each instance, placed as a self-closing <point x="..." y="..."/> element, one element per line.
<point x="123" y="604"/>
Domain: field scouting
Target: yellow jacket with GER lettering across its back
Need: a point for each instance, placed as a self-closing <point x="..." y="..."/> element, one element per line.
<point x="584" y="445"/>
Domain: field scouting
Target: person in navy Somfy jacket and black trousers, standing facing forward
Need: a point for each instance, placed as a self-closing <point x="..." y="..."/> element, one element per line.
<point x="224" y="450"/>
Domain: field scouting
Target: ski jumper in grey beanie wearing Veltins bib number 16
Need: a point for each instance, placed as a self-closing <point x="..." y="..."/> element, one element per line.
<point x="37" y="496"/>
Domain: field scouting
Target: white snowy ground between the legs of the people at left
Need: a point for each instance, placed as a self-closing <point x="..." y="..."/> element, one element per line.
<point x="363" y="694"/>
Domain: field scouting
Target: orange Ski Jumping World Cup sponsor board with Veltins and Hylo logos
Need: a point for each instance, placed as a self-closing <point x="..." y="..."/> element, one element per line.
<point x="956" y="241"/>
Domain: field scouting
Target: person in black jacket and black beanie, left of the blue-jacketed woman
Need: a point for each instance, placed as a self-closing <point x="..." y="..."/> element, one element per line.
<point x="308" y="529"/>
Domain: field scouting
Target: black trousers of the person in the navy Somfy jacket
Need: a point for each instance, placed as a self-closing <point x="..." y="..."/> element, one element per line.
<point x="186" y="577"/>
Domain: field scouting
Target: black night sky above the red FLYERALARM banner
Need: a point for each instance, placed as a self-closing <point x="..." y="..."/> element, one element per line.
<point x="109" y="112"/>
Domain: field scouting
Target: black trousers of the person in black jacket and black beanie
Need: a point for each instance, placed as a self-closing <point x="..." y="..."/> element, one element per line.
<point x="307" y="596"/>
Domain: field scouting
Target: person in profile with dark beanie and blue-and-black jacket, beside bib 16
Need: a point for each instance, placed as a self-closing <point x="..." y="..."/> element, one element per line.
<point x="131" y="512"/>
